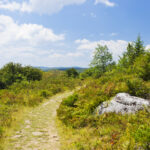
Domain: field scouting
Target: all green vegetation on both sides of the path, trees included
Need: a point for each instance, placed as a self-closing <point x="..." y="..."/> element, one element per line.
<point x="81" y="128"/>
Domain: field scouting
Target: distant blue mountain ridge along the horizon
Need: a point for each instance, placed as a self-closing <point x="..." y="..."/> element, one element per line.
<point x="80" y="69"/>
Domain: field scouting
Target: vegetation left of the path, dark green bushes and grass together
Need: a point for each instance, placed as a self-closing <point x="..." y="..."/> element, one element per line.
<point x="27" y="87"/>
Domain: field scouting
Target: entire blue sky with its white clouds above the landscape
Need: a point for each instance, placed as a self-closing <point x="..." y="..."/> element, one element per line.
<point x="65" y="32"/>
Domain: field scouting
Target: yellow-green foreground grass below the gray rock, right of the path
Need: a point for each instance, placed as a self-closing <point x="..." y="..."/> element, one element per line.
<point x="111" y="132"/>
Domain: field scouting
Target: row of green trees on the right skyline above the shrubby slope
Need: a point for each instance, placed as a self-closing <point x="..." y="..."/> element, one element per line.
<point x="136" y="59"/>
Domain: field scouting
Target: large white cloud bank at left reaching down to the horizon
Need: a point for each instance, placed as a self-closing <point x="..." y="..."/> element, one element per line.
<point x="32" y="44"/>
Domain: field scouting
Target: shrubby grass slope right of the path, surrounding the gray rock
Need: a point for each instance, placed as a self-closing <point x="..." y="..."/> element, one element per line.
<point x="84" y="130"/>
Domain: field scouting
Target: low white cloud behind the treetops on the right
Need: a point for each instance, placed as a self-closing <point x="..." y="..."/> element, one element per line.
<point x="116" y="47"/>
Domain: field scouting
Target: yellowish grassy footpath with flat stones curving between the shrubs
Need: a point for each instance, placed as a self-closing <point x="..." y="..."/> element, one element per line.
<point x="41" y="119"/>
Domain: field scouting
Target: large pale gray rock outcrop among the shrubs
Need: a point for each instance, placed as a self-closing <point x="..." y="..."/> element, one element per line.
<point x="123" y="103"/>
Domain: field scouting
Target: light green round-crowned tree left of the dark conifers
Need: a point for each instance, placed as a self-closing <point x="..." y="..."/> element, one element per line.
<point x="102" y="58"/>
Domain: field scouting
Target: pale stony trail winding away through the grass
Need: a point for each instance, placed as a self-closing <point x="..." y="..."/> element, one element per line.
<point x="38" y="129"/>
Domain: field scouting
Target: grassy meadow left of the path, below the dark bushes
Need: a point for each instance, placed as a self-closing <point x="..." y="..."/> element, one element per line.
<point x="24" y="96"/>
